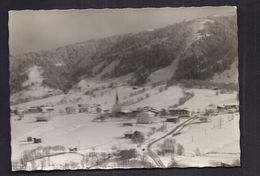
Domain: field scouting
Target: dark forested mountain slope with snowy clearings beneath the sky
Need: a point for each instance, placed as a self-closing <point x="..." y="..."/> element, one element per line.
<point x="197" y="49"/>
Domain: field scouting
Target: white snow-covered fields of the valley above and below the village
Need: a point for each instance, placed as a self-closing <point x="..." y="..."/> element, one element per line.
<point x="78" y="130"/>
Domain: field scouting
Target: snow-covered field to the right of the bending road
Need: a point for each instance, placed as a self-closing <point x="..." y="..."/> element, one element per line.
<point x="208" y="144"/>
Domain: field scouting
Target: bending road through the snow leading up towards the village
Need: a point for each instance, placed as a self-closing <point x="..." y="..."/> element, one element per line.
<point x="175" y="131"/>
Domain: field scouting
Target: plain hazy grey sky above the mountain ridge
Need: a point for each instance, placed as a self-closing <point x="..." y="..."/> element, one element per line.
<point x="36" y="30"/>
